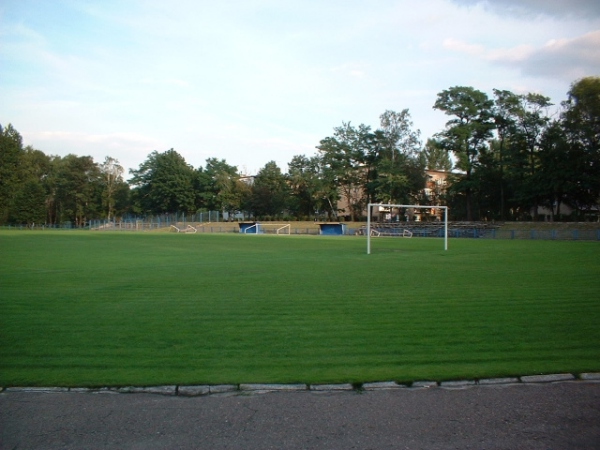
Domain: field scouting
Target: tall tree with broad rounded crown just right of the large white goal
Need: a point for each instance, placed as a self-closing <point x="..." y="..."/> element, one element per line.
<point x="466" y="134"/>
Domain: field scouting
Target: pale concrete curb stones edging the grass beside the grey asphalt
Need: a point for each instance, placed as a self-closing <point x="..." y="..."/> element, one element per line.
<point x="241" y="389"/>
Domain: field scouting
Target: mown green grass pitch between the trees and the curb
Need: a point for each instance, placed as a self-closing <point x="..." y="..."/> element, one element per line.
<point x="106" y="309"/>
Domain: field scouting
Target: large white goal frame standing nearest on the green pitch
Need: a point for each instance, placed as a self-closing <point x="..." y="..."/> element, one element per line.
<point x="387" y="209"/>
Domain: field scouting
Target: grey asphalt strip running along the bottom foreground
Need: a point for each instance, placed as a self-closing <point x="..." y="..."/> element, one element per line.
<point x="562" y="415"/>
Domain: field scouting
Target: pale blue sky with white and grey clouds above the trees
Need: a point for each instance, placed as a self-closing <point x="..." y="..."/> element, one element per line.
<point x="254" y="81"/>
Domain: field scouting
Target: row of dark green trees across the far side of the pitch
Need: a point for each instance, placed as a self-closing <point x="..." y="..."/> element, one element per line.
<point x="507" y="155"/>
